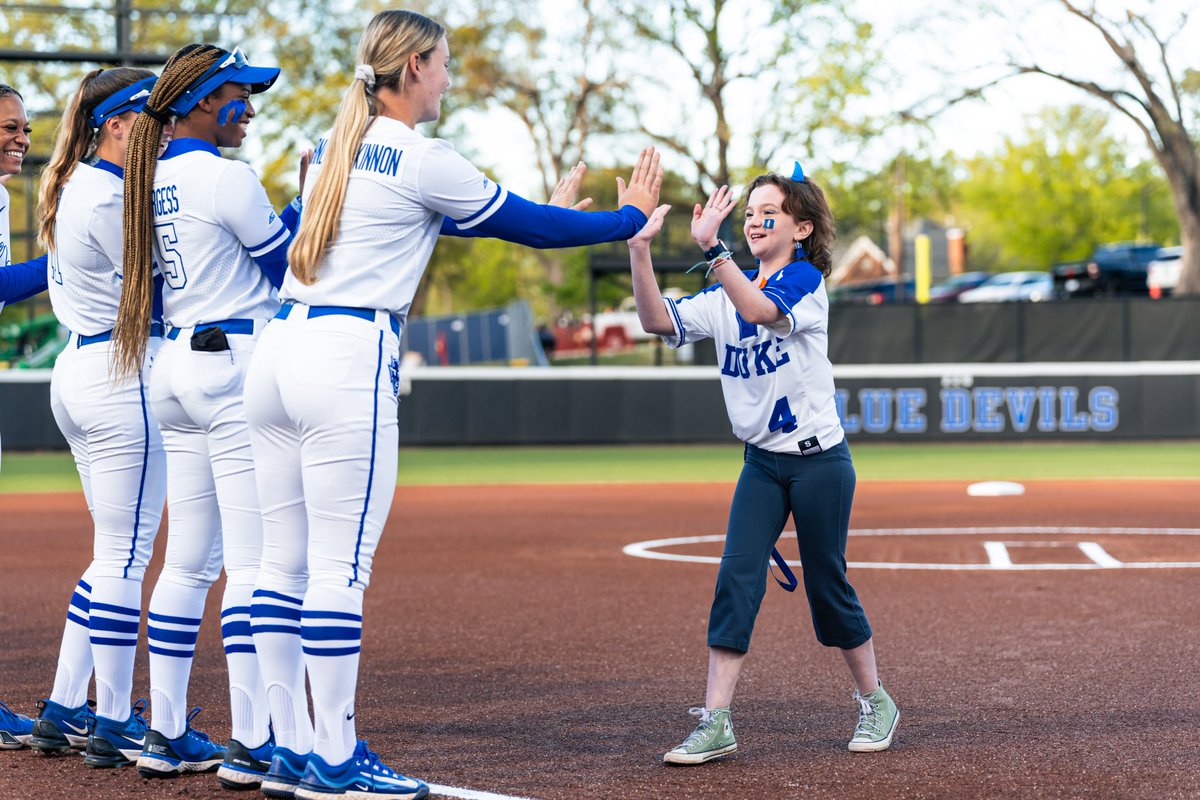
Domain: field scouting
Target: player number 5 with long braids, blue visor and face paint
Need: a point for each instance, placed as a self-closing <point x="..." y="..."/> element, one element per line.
<point x="221" y="250"/>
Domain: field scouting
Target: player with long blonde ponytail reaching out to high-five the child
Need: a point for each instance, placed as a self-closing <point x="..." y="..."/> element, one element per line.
<point x="321" y="395"/>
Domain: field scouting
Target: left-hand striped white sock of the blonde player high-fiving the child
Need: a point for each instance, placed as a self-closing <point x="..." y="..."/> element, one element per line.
<point x="275" y="624"/>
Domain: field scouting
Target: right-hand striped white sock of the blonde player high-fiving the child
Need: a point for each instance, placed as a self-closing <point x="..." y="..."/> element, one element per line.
<point x="332" y="629"/>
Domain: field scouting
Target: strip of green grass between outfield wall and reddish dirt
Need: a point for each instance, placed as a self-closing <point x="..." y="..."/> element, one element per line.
<point x="598" y="465"/>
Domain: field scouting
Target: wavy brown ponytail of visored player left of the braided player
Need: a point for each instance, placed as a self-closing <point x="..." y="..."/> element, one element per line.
<point x="77" y="141"/>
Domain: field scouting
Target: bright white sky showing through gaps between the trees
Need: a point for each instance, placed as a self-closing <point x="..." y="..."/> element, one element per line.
<point x="937" y="49"/>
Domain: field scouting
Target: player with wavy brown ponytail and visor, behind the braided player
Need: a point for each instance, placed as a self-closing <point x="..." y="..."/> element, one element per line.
<point x="110" y="428"/>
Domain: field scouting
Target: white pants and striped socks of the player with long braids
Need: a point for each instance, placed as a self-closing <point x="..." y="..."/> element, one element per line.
<point x="213" y="518"/>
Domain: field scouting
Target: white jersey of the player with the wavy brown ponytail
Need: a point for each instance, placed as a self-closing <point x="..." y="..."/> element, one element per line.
<point x="85" y="269"/>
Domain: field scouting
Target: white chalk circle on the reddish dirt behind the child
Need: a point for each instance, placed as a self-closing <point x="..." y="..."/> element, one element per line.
<point x="997" y="552"/>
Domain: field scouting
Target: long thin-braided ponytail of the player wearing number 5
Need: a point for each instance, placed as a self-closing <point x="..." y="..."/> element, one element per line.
<point x="185" y="67"/>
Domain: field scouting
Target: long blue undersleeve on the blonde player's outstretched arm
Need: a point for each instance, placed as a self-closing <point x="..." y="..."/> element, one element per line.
<point x="529" y="224"/>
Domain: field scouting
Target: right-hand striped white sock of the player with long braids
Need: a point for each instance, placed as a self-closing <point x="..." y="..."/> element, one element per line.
<point x="248" y="697"/>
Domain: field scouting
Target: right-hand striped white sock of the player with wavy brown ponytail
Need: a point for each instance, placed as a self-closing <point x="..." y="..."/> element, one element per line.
<point x="116" y="618"/>
